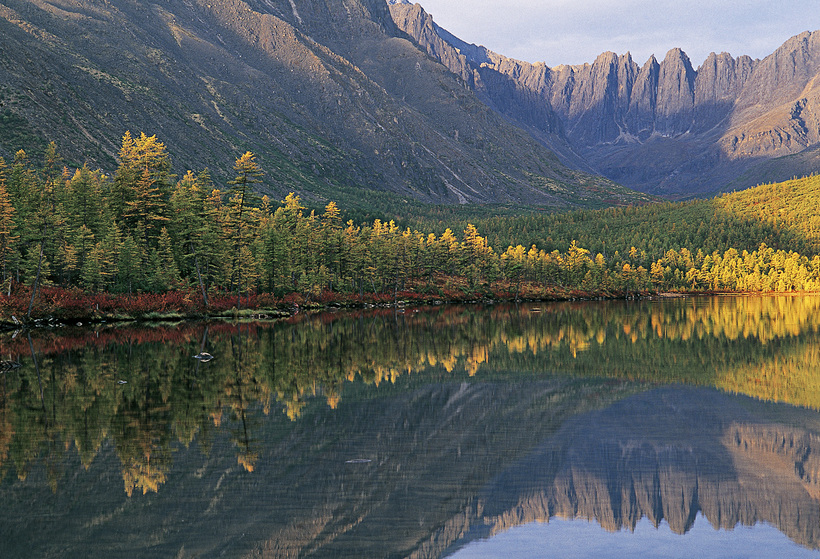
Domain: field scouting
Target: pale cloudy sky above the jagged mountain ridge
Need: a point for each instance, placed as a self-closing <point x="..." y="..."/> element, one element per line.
<point x="577" y="31"/>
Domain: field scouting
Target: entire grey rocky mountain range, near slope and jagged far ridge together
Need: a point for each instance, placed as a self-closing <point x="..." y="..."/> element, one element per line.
<point x="370" y="103"/>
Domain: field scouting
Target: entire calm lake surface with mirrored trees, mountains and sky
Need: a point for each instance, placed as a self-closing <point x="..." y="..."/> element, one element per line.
<point x="664" y="428"/>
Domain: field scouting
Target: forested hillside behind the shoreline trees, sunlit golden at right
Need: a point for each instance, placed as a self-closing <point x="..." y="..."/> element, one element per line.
<point x="783" y="216"/>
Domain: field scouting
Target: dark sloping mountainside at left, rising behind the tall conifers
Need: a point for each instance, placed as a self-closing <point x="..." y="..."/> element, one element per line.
<point x="332" y="97"/>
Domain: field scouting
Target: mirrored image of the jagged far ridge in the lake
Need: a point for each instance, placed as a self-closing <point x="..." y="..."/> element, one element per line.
<point x="667" y="455"/>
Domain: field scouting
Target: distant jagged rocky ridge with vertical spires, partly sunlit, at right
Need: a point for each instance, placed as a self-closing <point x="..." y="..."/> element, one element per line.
<point x="664" y="127"/>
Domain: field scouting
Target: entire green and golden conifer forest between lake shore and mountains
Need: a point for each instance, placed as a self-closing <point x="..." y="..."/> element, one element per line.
<point x="144" y="230"/>
